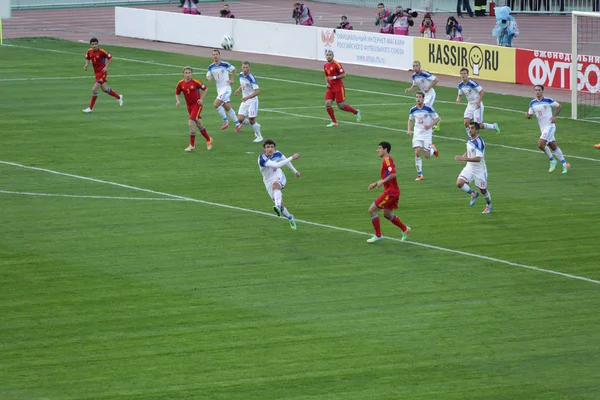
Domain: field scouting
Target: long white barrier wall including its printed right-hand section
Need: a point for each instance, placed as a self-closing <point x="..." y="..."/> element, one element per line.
<point x="353" y="47"/>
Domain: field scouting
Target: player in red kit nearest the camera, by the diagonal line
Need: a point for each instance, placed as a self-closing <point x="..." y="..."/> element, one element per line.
<point x="388" y="200"/>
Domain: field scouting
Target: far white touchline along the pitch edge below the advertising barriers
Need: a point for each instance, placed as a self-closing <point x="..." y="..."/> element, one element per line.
<point x="290" y="81"/>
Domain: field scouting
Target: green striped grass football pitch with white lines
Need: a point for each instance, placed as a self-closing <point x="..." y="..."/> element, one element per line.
<point x="133" y="270"/>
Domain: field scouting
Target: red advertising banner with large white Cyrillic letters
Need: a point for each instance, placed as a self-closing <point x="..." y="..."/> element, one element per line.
<point x="553" y="70"/>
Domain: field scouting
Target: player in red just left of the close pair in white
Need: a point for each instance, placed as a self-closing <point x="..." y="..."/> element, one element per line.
<point x="191" y="87"/>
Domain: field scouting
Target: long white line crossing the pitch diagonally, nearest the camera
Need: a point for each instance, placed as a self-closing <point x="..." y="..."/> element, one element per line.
<point x="428" y="246"/>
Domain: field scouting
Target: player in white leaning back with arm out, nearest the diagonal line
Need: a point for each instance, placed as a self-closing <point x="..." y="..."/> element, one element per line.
<point x="270" y="163"/>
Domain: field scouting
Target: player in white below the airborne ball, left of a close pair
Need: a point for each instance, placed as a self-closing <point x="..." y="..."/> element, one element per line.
<point x="219" y="71"/>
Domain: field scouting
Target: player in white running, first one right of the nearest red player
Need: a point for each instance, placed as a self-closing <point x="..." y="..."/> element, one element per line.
<point x="475" y="170"/>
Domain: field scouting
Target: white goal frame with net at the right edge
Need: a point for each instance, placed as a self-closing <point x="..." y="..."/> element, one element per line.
<point x="585" y="52"/>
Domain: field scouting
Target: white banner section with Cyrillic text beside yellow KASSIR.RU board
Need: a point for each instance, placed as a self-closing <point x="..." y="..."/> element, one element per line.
<point x="366" y="48"/>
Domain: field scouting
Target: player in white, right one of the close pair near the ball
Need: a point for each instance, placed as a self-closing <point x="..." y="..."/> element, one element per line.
<point x="249" y="107"/>
